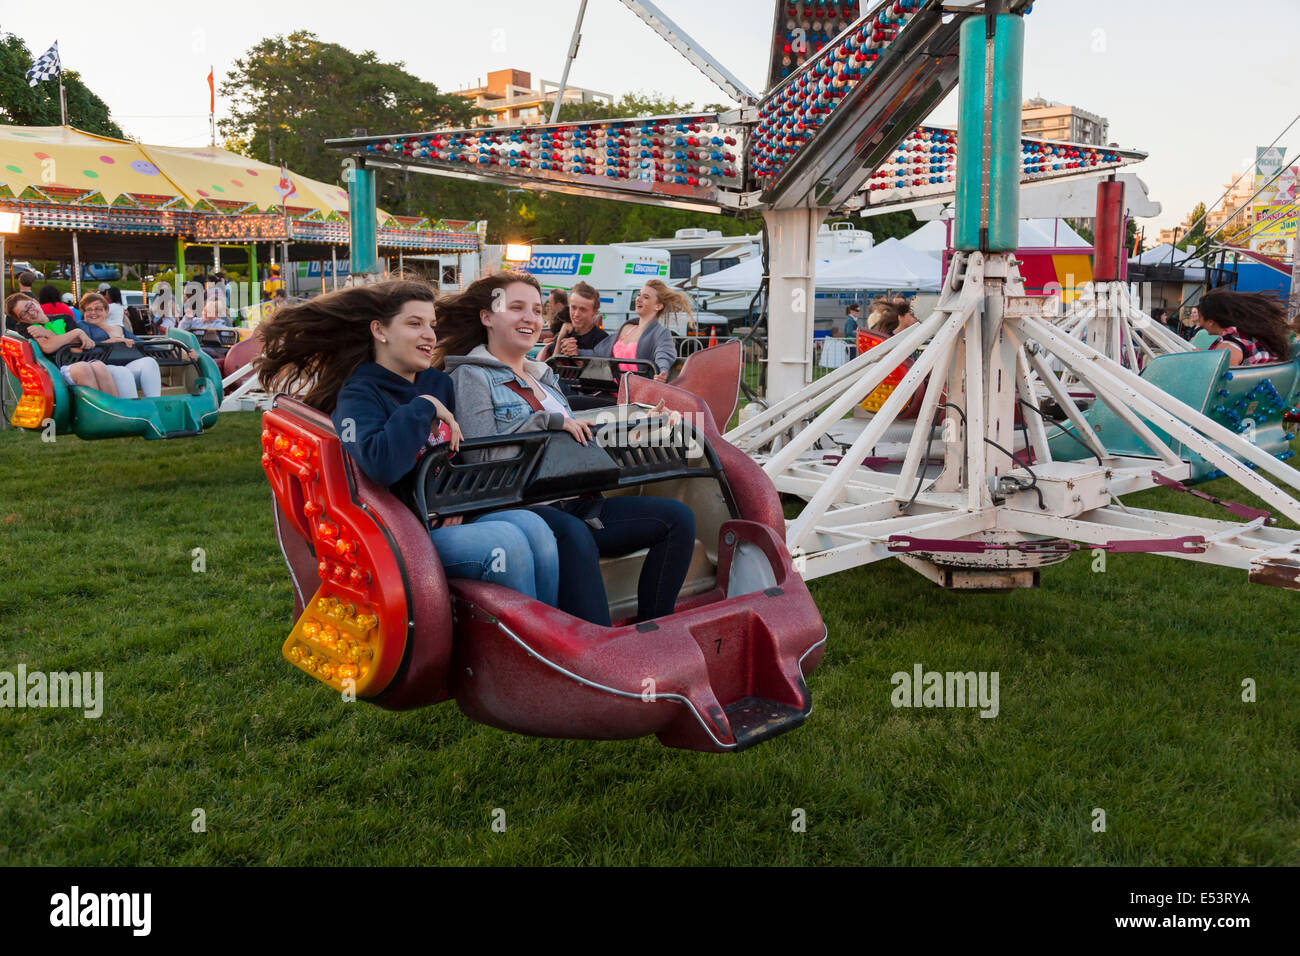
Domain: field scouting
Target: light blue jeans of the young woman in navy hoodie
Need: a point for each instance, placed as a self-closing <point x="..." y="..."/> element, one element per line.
<point x="514" y="550"/>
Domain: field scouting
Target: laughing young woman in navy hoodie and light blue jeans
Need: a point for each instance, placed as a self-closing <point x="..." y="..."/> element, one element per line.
<point x="363" y="356"/>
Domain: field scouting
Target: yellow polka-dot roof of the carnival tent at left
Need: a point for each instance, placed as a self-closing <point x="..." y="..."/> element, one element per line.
<point x="63" y="162"/>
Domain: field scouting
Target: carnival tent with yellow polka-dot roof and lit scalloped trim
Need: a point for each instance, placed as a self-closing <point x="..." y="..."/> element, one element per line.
<point x="118" y="200"/>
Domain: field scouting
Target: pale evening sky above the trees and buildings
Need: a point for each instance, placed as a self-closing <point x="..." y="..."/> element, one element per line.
<point x="1198" y="84"/>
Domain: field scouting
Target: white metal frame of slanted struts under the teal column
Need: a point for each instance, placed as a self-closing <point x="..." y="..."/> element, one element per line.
<point x="987" y="348"/>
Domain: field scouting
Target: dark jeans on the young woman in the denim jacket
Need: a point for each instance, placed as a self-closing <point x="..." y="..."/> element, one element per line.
<point x="665" y="526"/>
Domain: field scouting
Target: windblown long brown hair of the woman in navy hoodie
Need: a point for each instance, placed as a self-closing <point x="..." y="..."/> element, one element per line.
<point x="317" y="345"/>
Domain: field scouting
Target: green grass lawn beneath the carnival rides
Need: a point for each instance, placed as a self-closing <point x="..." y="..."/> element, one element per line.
<point x="1120" y="691"/>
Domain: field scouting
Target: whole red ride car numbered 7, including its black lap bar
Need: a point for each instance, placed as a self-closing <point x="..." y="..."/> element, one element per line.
<point x="376" y="615"/>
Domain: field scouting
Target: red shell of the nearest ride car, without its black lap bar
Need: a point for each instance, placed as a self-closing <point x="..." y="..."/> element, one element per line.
<point x="722" y="673"/>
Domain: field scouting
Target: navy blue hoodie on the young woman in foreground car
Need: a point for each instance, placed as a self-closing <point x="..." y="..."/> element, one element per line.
<point x="392" y="426"/>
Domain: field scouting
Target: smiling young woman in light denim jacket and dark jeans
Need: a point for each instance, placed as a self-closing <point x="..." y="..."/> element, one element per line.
<point x="487" y="334"/>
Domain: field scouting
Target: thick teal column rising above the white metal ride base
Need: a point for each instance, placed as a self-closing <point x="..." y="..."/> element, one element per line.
<point x="989" y="142"/>
